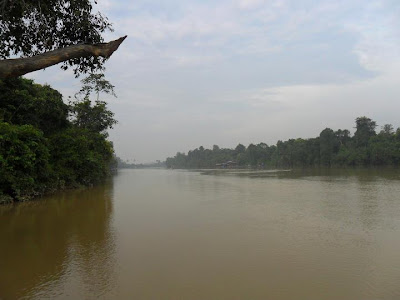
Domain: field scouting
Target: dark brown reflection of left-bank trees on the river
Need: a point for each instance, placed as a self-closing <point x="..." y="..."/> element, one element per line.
<point x="48" y="246"/>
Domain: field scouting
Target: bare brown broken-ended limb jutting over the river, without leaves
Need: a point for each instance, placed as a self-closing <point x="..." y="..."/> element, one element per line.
<point x="20" y="66"/>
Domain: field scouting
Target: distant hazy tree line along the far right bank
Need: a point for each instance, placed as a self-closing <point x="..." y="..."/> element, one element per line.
<point x="331" y="148"/>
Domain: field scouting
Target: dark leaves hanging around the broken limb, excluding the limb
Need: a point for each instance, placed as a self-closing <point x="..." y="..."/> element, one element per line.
<point x="30" y="27"/>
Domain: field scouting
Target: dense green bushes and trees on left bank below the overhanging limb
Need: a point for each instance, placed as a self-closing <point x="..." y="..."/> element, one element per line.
<point x="46" y="144"/>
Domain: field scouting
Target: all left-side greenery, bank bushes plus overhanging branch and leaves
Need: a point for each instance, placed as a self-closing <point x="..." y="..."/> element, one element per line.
<point x="46" y="144"/>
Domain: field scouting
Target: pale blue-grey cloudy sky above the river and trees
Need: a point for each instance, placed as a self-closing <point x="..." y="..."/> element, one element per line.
<point x="198" y="72"/>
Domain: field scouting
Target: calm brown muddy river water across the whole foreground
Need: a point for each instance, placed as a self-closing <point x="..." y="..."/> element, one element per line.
<point x="162" y="234"/>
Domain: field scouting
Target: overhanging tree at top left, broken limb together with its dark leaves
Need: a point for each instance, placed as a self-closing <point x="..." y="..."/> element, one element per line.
<point x="48" y="32"/>
